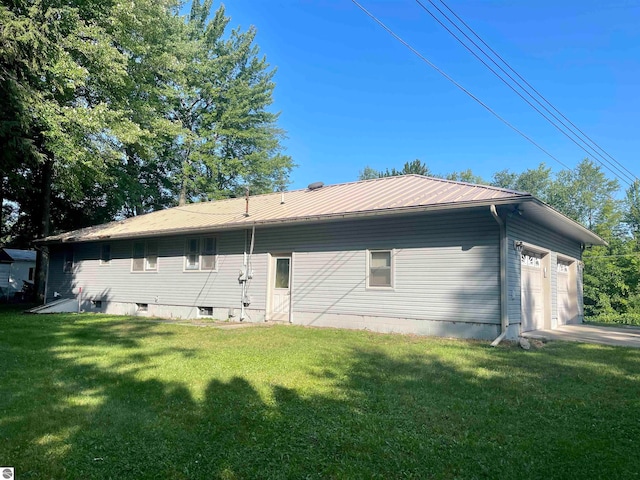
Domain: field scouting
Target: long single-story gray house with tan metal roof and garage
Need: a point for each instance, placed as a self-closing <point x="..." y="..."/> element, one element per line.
<point x="399" y="254"/>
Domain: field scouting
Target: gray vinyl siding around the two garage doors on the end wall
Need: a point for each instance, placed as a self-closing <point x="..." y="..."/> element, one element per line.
<point x="520" y="230"/>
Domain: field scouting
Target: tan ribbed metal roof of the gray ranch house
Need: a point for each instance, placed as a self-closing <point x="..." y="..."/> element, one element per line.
<point x="383" y="196"/>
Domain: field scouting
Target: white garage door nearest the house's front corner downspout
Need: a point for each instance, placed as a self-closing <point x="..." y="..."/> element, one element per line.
<point x="532" y="291"/>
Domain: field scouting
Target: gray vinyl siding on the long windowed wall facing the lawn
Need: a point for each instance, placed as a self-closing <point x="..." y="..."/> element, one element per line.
<point x="446" y="269"/>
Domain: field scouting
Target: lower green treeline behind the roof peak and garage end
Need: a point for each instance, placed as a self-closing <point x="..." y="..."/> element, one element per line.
<point x="586" y="195"/>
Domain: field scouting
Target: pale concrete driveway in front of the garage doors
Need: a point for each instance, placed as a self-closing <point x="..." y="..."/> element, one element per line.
<point x="619" y="336"/>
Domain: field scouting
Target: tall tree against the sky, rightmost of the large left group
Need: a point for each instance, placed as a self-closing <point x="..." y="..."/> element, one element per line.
<point x="229" y="138"/>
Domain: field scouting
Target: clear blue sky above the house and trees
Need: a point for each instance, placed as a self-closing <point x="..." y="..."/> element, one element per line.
<point x="351" y="96"/>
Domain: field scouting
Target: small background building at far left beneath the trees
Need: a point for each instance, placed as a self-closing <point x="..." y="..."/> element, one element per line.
<point x="16" y="267"/>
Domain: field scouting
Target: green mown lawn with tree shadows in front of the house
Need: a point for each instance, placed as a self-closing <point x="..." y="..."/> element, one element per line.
<point x="85" y="396"/>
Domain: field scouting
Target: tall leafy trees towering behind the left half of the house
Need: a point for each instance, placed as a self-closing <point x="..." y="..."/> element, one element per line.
<point x="115" y="108"/>
